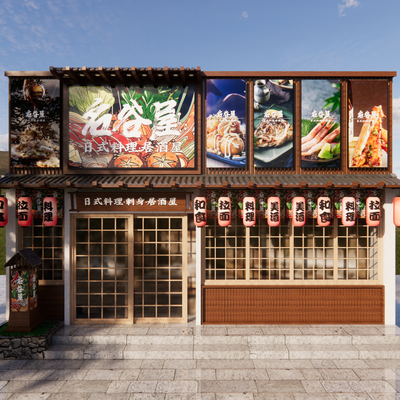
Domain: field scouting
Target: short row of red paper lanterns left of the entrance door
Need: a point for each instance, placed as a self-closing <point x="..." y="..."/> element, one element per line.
<point x="24" y="211"/>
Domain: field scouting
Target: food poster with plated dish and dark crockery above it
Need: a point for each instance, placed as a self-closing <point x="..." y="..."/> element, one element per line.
<point x="273" y="123"/>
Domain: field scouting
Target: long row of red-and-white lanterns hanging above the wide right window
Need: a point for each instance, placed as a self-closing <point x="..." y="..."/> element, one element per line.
<point x="324" y="211"/>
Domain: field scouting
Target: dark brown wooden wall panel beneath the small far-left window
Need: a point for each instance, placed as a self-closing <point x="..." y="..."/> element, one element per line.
<point x="51" y="302"/>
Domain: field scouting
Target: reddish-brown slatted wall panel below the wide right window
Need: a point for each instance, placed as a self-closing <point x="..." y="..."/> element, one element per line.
<point x="293" y="305"/>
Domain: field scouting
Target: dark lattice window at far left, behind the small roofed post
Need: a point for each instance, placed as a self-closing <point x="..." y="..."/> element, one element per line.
<point x="48" y="244"/>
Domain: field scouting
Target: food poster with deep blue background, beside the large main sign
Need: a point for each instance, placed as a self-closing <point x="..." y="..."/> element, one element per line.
<point x="226" y="123"/>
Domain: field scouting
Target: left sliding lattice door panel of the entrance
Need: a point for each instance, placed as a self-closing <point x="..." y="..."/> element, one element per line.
<point x="102" y="260"/>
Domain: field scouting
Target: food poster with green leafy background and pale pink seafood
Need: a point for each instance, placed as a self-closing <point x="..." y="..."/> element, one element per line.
<point x="320" y="123"/>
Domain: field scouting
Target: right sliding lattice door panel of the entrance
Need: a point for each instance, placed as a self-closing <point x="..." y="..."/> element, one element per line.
<point x="160" y="268"/>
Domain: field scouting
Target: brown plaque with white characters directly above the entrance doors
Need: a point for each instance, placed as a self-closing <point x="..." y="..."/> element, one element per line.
<point x="134" y="202"/>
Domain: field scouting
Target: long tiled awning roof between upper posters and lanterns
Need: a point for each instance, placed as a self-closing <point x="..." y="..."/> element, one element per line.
<point x="311" y="181"/>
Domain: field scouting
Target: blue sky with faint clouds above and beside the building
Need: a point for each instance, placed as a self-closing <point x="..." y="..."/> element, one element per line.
<point x="285" y="35"/>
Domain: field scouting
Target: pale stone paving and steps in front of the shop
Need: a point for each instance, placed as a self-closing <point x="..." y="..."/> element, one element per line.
<point x="212" y="362"/>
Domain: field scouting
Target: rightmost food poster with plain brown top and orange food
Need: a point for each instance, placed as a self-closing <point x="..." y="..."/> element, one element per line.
<point x="368" y="136"/>
